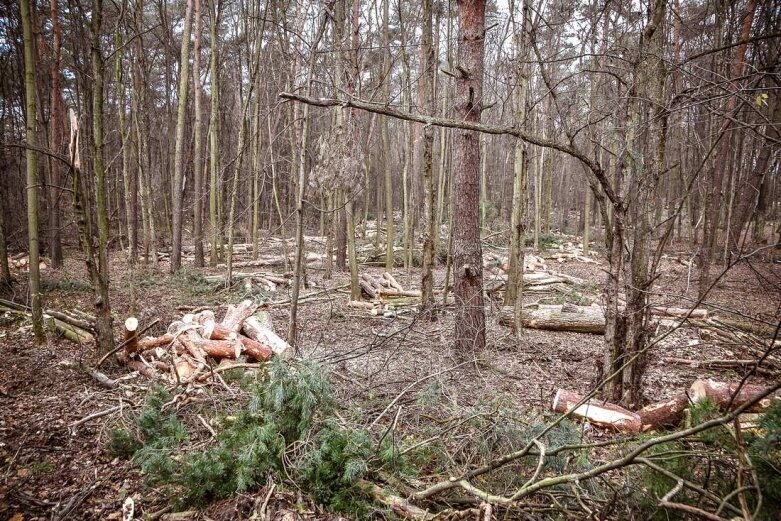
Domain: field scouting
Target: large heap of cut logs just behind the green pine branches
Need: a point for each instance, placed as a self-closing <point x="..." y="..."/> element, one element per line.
<point x="184" y="352"/>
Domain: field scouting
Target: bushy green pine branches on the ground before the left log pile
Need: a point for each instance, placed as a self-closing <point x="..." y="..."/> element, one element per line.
<point x="287" y="430"/>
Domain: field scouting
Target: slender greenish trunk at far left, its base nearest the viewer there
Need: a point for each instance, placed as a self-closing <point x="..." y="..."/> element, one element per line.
<point x="34" y="279"/>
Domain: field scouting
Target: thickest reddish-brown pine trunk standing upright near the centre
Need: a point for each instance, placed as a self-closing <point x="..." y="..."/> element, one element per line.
<point x="467" y="250"/>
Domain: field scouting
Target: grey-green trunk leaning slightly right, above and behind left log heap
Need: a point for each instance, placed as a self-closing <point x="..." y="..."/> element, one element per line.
<point x="177" y="191"/>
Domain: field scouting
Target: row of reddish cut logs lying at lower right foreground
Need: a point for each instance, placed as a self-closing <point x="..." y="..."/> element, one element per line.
<point x="659" y="415"/>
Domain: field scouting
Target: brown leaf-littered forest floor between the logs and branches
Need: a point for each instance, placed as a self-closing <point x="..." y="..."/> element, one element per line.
<point x="54" y="468"/>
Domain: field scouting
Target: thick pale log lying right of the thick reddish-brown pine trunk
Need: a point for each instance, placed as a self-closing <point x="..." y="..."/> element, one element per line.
<point x="582" y="319"/>
